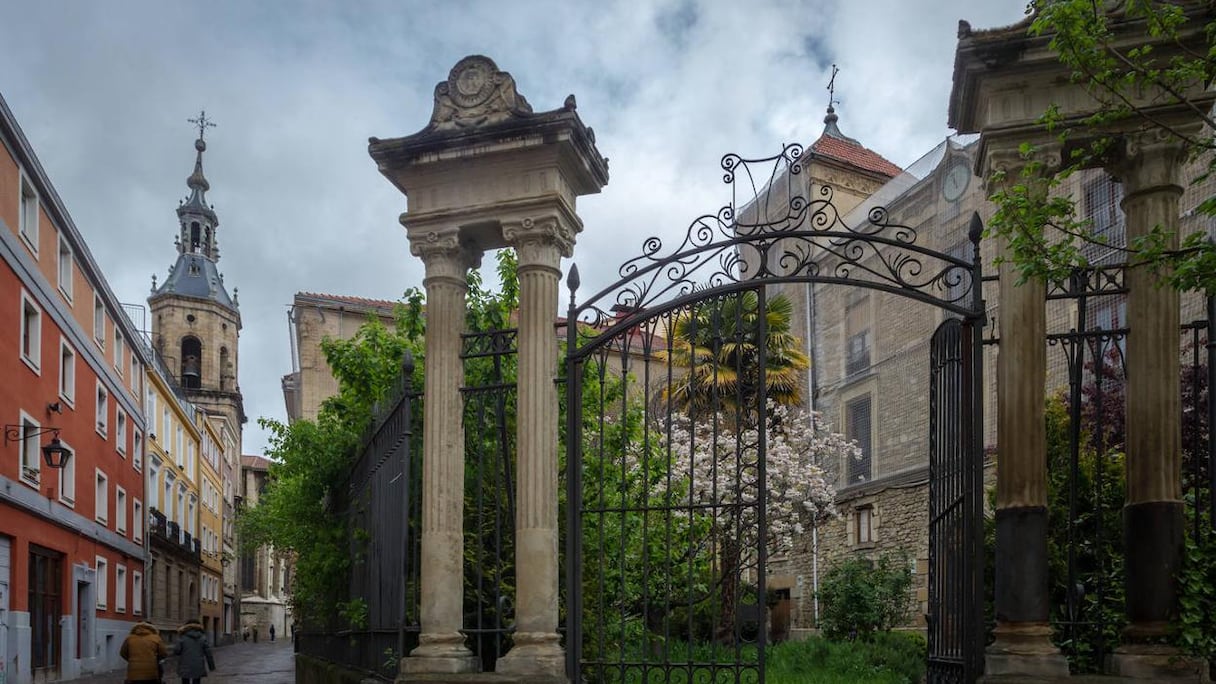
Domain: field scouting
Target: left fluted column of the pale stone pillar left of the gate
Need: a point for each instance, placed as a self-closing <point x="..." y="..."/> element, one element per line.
<point x="441" y="644"/>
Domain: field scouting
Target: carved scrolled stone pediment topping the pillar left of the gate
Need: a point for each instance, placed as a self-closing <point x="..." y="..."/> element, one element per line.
<point x="476" y="94"/>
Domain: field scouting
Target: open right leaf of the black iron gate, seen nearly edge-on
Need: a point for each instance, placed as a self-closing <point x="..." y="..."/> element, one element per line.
<point x="956" y="495"/>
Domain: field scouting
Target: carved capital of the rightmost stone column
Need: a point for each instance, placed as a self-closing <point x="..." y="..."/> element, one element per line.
<point x="1151" y="160"/>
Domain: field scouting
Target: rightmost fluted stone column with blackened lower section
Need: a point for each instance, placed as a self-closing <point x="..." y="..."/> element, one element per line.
<point x="1153" y="517"/>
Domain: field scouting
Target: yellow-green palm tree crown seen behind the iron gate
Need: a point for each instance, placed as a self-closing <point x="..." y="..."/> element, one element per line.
<point x="714" y="345"/>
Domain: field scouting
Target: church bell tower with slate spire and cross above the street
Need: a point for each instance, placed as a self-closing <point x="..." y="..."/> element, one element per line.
<point x="195" y="323"/>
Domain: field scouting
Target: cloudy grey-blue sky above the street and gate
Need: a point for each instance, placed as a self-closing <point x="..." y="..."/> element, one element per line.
<point x="104" y="91"/>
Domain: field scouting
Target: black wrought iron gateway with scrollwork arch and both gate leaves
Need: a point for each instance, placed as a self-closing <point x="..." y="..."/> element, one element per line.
<point x="677" y="377"/>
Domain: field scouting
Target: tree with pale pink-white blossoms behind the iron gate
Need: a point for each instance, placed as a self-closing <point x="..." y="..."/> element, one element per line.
<point x="718" y="476"/>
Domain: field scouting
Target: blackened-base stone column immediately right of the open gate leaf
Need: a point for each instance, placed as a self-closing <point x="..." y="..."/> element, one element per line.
<point x="1023" y="632"/>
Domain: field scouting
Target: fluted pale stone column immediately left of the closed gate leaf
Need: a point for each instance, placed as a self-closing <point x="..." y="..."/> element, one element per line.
<point x="541" y="244"/>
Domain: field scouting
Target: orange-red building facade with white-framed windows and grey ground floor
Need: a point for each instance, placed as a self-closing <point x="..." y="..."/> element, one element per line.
<point x="72" y="540"/>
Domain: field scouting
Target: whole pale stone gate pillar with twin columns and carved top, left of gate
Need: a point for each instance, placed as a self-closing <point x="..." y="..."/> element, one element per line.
<point x="488" y="173"/>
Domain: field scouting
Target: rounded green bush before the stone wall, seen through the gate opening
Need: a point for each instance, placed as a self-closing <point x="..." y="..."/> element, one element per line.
<point x="860" y="598"/>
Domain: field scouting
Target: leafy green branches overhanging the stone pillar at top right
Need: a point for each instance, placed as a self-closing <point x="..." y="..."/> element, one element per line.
<point x="1044" y="229"/>
